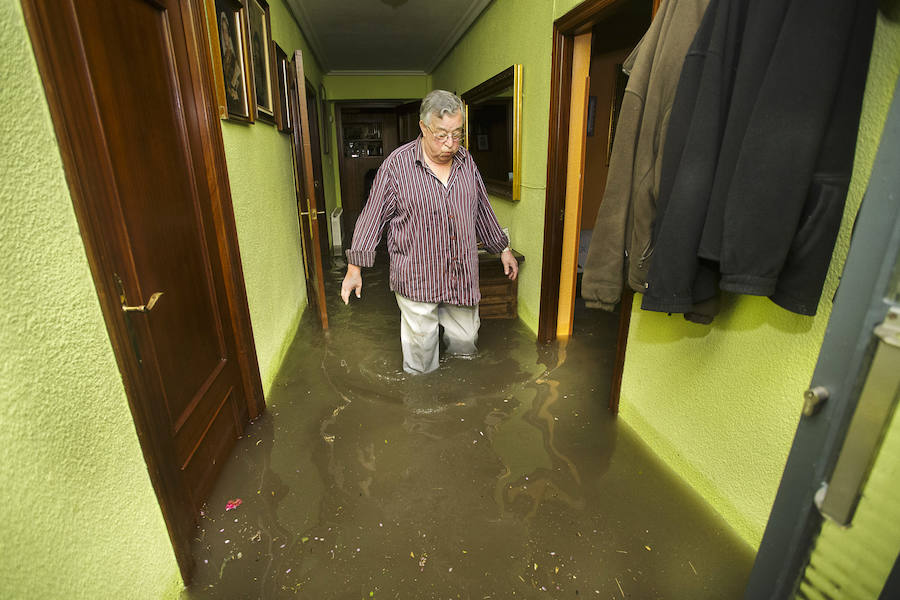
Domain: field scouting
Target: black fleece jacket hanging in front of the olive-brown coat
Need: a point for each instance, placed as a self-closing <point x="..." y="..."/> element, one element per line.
<point x="759" y="152"/>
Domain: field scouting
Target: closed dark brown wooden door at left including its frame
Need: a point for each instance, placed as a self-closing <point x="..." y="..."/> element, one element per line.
<point x="130" y="94"/>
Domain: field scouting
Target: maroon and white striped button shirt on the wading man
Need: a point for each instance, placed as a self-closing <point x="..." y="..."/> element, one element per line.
<point x="431" y="229"/>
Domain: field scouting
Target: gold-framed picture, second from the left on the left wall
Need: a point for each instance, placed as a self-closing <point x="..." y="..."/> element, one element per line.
<point x="261" y="56"/>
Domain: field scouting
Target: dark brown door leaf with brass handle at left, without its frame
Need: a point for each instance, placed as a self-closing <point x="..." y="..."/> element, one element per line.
<point x="162" y="202"/>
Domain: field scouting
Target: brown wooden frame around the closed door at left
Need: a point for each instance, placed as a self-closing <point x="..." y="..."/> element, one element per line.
<point x="72" y="123"/>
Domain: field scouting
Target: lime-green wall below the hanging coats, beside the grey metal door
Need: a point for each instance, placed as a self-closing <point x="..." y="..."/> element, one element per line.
<point x="721" y="403"/>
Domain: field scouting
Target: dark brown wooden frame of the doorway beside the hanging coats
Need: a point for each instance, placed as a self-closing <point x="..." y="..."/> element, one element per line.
<point x="579" y="20"/>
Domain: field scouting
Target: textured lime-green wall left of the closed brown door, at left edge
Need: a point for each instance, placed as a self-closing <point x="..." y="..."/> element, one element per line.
<point x="80" y="518"/>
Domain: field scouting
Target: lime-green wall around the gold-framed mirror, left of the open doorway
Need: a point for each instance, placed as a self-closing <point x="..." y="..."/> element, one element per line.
<point x="515" y="32"/>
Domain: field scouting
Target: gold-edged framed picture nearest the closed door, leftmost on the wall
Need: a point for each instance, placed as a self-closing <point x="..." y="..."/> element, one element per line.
<point x="231" y="33"/>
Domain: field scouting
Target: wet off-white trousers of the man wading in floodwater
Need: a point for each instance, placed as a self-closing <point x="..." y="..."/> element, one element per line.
<point x="419" y="323"/>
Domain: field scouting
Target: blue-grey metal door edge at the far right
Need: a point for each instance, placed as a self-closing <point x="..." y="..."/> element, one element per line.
<point x="844" y="359"/>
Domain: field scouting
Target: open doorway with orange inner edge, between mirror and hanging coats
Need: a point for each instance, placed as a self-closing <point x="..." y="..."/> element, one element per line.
<point x="587" y="85"/>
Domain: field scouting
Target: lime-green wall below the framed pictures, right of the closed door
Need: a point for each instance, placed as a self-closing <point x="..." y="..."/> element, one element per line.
<point x="265" y="212"/>
